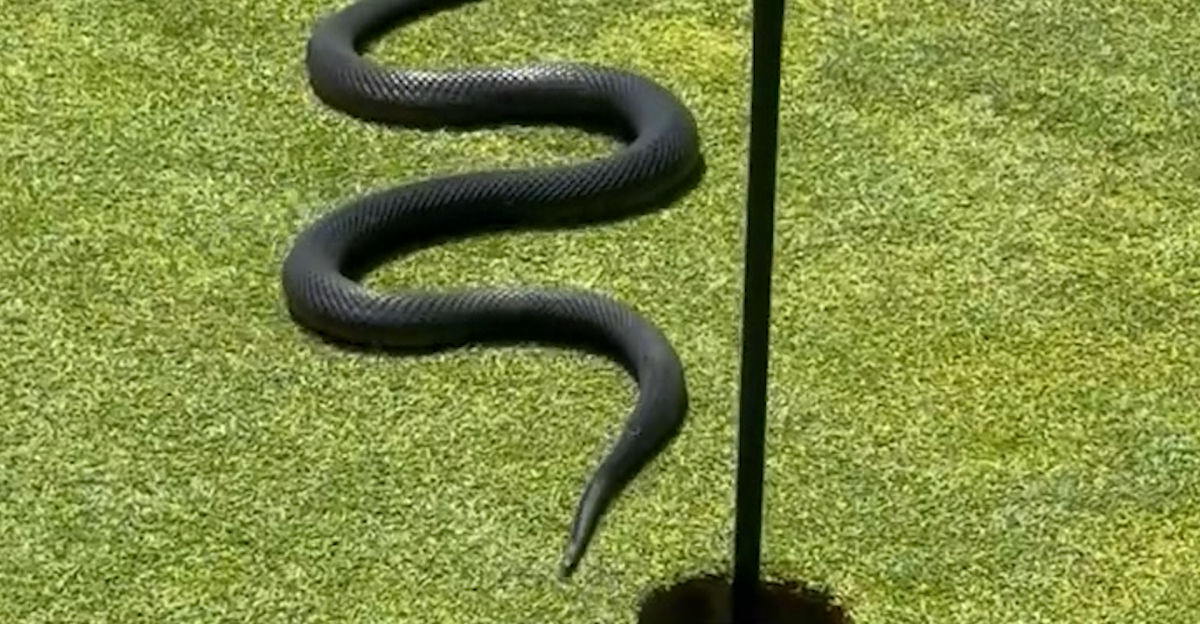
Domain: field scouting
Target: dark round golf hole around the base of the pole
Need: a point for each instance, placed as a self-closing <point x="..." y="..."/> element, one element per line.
<point x="707" y="601"/>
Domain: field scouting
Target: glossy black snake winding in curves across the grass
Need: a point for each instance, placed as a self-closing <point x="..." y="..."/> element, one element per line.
<point x="657" y="160"/>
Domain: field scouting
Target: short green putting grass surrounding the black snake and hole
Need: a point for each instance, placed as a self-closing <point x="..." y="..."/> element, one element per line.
<point x="987" y="322"/>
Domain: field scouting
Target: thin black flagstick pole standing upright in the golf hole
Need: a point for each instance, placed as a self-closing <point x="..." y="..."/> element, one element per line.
<point x="769" y="43"/>
